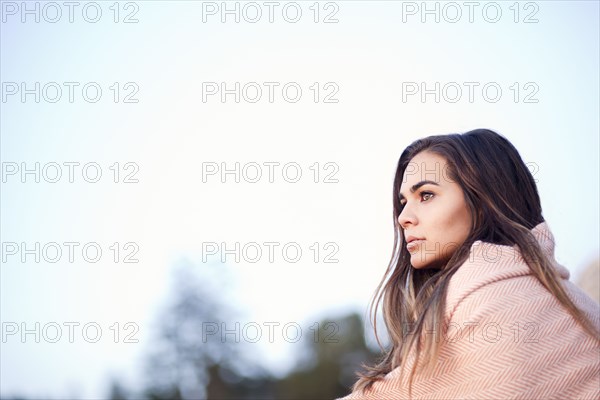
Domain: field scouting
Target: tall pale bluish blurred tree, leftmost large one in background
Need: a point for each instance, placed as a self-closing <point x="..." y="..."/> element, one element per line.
<point x="179" y="364"/>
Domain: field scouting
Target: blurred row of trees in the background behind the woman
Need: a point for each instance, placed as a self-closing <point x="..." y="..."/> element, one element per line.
<point x="190" y="360"/>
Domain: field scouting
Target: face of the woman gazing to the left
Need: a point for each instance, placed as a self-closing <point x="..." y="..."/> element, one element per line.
<point x="434" y="211"/>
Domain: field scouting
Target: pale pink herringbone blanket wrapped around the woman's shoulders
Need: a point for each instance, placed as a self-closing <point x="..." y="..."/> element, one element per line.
<point x="508" y="338"/>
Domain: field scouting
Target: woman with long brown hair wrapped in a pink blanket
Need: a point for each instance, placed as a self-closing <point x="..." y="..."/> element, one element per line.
<point x="474" y="302"/>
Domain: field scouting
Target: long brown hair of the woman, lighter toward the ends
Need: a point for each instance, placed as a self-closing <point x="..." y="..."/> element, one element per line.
<point x="504" y="203"/>
